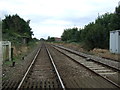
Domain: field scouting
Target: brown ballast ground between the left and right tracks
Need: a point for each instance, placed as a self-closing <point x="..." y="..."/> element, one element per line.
<point x="75" y="75"/>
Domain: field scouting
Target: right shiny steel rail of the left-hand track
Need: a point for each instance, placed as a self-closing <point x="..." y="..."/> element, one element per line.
<point x="58" y="75"/>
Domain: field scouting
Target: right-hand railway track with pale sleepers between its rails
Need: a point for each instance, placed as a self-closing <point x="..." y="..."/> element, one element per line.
<point x="107" y="72"/>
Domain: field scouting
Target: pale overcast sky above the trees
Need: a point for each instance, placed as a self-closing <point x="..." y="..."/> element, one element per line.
<point x="51" y="17"/>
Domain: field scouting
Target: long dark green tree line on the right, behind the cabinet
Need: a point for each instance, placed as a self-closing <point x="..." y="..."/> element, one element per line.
<point x="95" y="34"/>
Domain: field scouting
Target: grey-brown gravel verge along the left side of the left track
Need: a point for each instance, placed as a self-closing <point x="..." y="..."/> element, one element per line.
<point x="16" y="72"/>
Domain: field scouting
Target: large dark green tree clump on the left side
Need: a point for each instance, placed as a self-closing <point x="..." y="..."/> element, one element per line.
<point x="15" y="28"/>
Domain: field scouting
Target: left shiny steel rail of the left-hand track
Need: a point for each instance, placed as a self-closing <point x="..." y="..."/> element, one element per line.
<point x="28" y="70"/>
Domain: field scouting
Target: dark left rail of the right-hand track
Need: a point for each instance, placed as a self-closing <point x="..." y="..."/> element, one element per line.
<point x="88" y="68"/>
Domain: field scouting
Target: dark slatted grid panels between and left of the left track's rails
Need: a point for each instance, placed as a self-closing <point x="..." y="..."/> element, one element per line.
<point x="12" y="85"/>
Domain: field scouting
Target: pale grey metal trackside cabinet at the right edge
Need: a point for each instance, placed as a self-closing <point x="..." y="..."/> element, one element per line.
<point x="115" y="41"/>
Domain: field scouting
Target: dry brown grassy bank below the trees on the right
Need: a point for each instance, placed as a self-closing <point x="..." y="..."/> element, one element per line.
<point x="96" y="51"/>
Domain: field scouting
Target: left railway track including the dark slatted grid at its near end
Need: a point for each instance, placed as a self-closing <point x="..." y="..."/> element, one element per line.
<point x="42" y="73"/>
